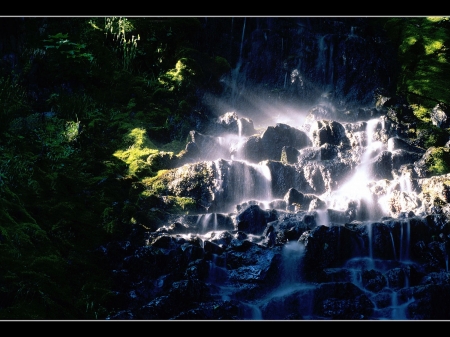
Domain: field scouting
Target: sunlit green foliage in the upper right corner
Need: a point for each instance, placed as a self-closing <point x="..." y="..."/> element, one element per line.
<point x="425" y="60"/>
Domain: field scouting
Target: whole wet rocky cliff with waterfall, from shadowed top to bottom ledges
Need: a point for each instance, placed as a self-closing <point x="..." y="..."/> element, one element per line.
<point x="330" y="209"/>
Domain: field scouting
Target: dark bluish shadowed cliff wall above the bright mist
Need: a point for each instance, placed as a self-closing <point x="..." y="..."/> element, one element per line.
<point x="302" y="60"/>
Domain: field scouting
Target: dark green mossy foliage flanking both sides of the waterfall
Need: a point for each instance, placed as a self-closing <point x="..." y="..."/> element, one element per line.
<point x="84" y="102"/>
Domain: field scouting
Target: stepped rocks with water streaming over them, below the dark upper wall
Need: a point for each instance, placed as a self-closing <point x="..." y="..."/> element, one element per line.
<point x="349" y="227"/>
